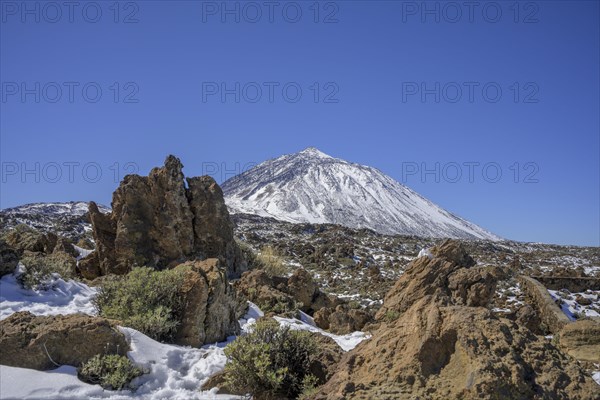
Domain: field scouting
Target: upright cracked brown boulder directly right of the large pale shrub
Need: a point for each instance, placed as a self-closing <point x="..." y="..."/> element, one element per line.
<point x="212" y="308"/>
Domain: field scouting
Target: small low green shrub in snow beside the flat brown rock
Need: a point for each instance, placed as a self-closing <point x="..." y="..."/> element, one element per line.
<point x="111" y="371"/>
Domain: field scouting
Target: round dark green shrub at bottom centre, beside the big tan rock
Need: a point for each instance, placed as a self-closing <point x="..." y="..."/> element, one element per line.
<point x="271" y="361"/>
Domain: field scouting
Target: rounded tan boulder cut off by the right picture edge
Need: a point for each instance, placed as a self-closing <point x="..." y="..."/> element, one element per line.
<point x="581" y="340"/>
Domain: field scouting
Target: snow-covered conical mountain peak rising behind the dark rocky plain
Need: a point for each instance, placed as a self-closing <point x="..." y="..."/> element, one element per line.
<point x="311" y="186"/>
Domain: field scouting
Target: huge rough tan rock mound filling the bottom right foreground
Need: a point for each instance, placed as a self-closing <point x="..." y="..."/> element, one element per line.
<point x="431" y="344"/>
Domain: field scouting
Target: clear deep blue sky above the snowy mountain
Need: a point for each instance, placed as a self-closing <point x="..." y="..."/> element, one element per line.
<point x="372" y="61"/>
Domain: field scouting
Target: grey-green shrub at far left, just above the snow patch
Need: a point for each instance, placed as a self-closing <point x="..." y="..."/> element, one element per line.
<point x="39" y="268"/>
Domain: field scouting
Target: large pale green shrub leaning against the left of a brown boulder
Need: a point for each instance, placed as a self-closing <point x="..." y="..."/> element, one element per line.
<point x="145" y="300"/>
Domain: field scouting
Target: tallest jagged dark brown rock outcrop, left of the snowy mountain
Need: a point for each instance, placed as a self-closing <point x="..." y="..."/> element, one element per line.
<point x="157" y="222"/>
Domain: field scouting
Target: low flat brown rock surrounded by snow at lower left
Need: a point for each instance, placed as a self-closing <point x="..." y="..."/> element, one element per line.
<point x="38" y="342"/>
